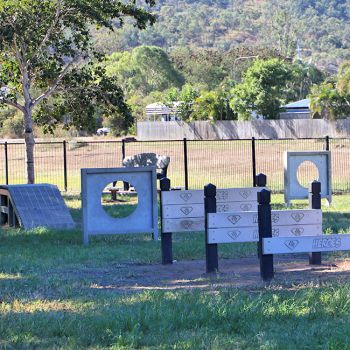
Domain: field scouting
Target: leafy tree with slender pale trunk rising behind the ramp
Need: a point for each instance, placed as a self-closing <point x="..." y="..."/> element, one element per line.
<point x="47" y="58"/>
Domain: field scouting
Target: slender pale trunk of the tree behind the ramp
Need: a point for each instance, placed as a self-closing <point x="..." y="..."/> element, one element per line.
<point x="29" y="141"/>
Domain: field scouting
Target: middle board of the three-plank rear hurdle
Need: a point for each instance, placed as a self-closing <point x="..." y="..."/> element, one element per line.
<point x="197" y="210"/>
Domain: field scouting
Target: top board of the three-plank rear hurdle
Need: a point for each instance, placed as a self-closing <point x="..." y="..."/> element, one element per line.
<point x="245" y="194"/>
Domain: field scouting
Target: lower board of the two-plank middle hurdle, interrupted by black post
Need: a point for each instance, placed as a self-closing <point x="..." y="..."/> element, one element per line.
<point x="251" y="234"/>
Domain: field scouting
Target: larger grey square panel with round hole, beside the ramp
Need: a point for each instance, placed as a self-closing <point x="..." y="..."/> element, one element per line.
<point x="144" y="219"/>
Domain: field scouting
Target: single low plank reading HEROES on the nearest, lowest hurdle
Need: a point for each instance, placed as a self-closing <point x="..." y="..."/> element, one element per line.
<point x="324" y="243"/>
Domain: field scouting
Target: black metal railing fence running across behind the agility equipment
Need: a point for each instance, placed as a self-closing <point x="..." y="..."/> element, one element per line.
<point x="193" y="163"/>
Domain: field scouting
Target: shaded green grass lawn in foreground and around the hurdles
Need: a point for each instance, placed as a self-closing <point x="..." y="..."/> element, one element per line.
<point x="55" y="294"/>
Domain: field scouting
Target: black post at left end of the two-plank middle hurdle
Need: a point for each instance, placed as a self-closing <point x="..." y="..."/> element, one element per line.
<point x="211" y="250"/>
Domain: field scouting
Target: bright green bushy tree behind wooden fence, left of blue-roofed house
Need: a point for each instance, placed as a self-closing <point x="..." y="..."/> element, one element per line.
<point x="262" y="90"/>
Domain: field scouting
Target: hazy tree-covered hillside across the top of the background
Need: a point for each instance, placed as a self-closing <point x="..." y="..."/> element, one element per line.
<point x="318" y="30"/>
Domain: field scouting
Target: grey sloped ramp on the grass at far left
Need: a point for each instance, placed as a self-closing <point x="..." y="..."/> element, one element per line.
<point x="32" y="206"/>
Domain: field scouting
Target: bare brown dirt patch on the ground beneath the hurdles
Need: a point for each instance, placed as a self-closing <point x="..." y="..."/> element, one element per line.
<point x="234" y="273"/>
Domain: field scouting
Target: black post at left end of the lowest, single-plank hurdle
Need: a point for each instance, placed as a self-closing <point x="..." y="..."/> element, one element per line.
<point x="265" y="231"/>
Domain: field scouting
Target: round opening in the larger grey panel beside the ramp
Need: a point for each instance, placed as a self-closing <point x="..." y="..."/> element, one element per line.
<point x="119" y="199"/>
